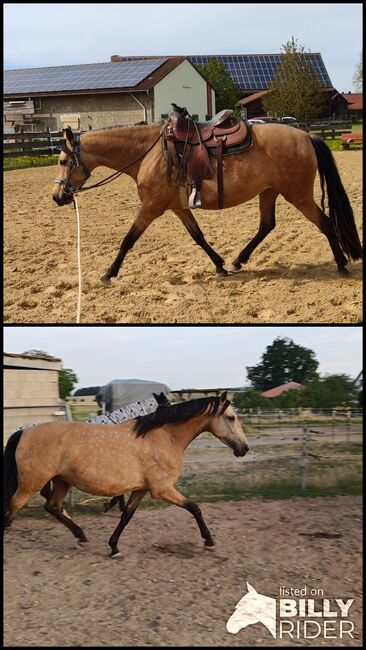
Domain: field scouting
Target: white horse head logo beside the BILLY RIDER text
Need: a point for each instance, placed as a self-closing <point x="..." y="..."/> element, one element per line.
<point x="253" y="608"/>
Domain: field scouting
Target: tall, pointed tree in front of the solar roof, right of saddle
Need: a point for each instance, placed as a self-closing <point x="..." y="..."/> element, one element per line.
<point x="296" y="88"/>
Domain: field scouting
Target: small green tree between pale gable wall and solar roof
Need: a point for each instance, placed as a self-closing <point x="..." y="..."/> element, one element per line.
<point x="227" y="91"/>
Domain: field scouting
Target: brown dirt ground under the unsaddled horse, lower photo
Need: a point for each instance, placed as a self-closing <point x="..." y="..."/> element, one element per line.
<point x="165" y="589"/>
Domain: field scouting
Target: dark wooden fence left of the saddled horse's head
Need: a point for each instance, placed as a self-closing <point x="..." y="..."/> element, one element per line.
<point x="45" y="143"/>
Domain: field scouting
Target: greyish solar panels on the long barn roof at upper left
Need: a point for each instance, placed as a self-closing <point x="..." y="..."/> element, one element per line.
<point x="96" y="76"/>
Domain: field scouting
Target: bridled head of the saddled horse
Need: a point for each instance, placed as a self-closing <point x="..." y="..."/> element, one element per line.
<point x="72" y="174"/>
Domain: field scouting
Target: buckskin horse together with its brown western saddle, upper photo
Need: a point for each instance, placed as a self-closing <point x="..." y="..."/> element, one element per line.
<point x="278" y="160"/>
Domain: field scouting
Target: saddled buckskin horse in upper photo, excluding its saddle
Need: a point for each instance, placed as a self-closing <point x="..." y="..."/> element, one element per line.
<point x="283" y="160"/>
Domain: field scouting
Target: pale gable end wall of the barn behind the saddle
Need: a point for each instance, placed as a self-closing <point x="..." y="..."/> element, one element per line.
<point x="185" y="87"/>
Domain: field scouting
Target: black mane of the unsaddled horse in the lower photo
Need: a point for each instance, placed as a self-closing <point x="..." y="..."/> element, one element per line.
<point x="176" y="413"/>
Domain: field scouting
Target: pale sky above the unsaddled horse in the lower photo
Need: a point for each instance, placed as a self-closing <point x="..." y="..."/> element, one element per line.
<point x="182" y="357"/>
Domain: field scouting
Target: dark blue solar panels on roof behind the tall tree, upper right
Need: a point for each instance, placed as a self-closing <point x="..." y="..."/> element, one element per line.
<point x="251" y="71"/>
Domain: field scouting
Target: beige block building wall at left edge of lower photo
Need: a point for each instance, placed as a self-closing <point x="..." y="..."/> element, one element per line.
<point x="30" y="391"/>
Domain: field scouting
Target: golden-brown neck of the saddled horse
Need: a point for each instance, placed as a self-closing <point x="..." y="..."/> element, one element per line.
<point x="116" y="148"/>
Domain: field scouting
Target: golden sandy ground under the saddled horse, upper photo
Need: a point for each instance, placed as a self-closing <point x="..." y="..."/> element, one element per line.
<point x="166" y="278"/>
